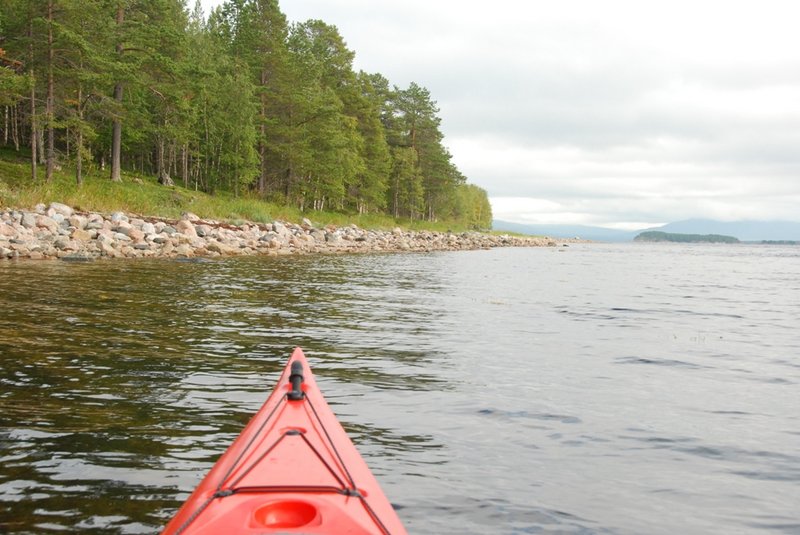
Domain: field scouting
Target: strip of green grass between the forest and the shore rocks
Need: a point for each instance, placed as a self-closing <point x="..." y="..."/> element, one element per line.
<point x="143" y="195"/>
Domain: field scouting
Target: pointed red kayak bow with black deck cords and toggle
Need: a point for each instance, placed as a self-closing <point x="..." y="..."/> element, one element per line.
<point x="292" y="470"/>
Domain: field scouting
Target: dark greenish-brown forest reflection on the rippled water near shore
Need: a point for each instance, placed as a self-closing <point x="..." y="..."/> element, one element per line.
<point x="123" y="382"/>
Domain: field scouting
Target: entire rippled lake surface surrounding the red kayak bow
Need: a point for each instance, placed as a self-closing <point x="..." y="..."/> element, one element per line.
<point x="592" y="389"/>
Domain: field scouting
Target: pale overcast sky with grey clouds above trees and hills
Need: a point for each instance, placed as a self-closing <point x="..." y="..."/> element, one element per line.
<point x="616" y="113"/>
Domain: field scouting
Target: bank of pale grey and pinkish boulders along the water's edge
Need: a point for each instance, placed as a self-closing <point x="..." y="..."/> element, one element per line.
<point x="58" y="231"/>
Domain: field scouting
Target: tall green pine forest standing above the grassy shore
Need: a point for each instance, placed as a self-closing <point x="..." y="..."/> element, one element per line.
<point x="241" y="101"/>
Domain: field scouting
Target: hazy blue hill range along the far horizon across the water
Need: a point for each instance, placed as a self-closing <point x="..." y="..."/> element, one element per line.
<point x="756" y="231"/>
